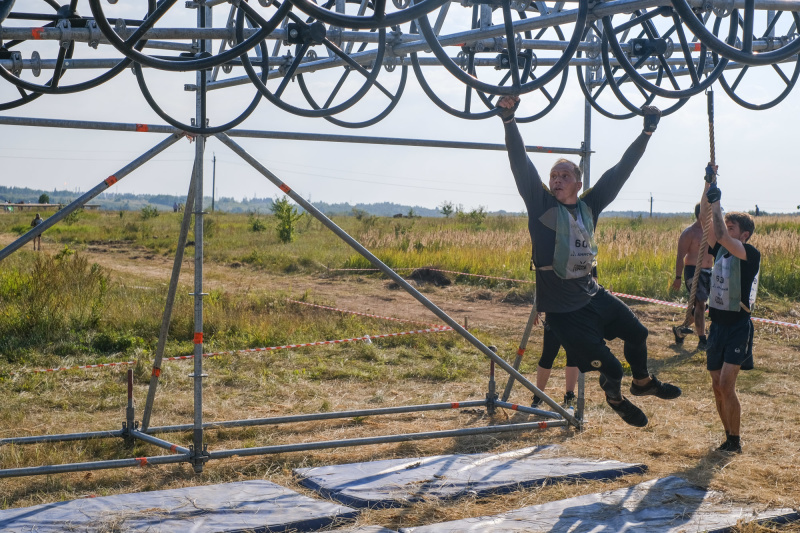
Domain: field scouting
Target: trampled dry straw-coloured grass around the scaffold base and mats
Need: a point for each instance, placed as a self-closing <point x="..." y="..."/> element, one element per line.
<point x="678" y="441"/>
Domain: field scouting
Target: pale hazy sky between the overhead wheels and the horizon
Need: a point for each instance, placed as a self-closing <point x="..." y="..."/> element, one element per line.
<point x="755" y="149"/>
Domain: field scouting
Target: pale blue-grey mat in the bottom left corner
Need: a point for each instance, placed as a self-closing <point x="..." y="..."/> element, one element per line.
<point x="252" y="506"/>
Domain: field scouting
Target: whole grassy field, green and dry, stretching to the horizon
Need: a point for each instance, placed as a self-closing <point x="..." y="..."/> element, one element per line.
<point x="96" y="294"/>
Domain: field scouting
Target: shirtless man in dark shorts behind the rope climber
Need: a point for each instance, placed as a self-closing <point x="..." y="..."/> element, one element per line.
<point x="685" y="264"/>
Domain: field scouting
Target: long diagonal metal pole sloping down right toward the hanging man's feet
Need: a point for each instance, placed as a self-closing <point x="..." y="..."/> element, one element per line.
<point x="316" y="213"/>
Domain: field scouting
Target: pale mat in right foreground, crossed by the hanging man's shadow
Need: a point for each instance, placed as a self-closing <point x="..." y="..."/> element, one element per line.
<point x="666" y="505"/>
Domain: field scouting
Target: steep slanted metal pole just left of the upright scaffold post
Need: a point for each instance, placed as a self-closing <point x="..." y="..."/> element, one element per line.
<point x="167" y="316"/>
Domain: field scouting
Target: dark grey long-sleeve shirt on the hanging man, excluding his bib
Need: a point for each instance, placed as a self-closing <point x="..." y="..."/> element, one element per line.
<point x="554" y="294"/>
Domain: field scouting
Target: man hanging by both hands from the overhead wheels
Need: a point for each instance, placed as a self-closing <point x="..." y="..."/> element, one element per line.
<point x="578" y="310"/>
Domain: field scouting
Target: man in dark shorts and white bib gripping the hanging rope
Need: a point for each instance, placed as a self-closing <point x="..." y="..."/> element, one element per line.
<point x="734" y="283"/>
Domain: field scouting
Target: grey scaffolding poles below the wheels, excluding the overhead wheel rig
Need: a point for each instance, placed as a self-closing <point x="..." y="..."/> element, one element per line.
<point x="197" y="454"/>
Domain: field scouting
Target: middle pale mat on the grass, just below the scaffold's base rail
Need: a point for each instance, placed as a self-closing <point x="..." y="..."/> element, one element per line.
<point x="397" y="482"/>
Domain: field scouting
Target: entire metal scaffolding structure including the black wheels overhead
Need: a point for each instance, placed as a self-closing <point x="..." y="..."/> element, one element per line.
<point x="483" y="37"/>
